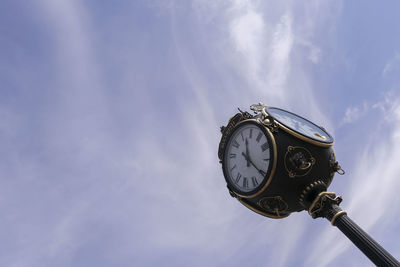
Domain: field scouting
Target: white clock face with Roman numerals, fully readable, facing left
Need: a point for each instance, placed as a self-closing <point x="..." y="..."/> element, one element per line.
<point x="247" y="159"/>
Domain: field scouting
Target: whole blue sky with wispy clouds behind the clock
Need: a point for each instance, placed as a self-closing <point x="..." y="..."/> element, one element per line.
<point x="110" y="116"/>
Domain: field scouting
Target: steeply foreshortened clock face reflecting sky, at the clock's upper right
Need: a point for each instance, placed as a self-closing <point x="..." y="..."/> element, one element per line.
<point x="300" y="125"/>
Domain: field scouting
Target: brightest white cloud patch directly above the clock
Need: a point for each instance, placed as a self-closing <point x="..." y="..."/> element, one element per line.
<point x="264" y="50"/>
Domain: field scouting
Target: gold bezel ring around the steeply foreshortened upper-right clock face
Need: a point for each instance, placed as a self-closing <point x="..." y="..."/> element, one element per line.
<point x="298" y="134"/>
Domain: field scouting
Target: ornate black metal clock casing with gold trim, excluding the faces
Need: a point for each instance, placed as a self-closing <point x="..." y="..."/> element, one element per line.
<point x="303" y="167"/>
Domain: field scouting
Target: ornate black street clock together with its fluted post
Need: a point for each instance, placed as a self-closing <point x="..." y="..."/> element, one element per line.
<point x="276" y="162"/>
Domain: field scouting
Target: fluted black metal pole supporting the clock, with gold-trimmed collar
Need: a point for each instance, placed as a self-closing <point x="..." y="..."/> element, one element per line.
<point x="326" y="205"/>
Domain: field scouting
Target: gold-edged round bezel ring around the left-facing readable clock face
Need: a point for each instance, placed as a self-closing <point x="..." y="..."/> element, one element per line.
<point x="271" y="168"/>
